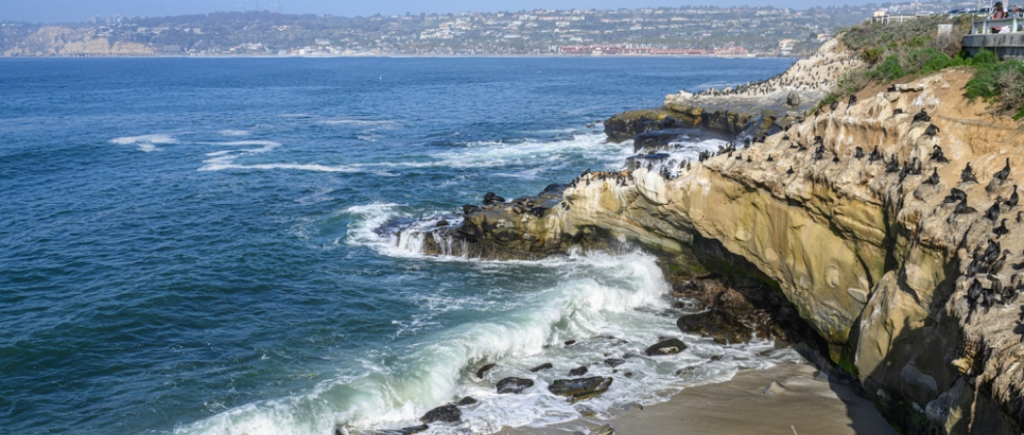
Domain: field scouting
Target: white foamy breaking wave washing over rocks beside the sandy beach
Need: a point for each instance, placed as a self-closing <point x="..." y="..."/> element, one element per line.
<point x="613" y="306"/>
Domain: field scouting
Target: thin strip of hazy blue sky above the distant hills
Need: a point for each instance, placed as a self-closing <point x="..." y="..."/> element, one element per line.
<point x="80" y="11"/>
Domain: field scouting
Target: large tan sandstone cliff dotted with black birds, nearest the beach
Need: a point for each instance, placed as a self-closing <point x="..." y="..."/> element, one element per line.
<point x="863" y="215"/>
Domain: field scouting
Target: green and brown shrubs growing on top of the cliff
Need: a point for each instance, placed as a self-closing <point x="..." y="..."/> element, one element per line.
<point x="912" y="50"/>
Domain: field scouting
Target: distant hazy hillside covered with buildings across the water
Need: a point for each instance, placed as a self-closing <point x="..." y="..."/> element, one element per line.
<point x="735" y="31"/>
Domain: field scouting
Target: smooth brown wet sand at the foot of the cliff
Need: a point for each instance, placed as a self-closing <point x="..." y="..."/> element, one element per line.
<point x="798" y="404"/>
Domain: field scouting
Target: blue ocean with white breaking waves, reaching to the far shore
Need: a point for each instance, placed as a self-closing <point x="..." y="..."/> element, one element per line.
<point x="210" y="246"/>
